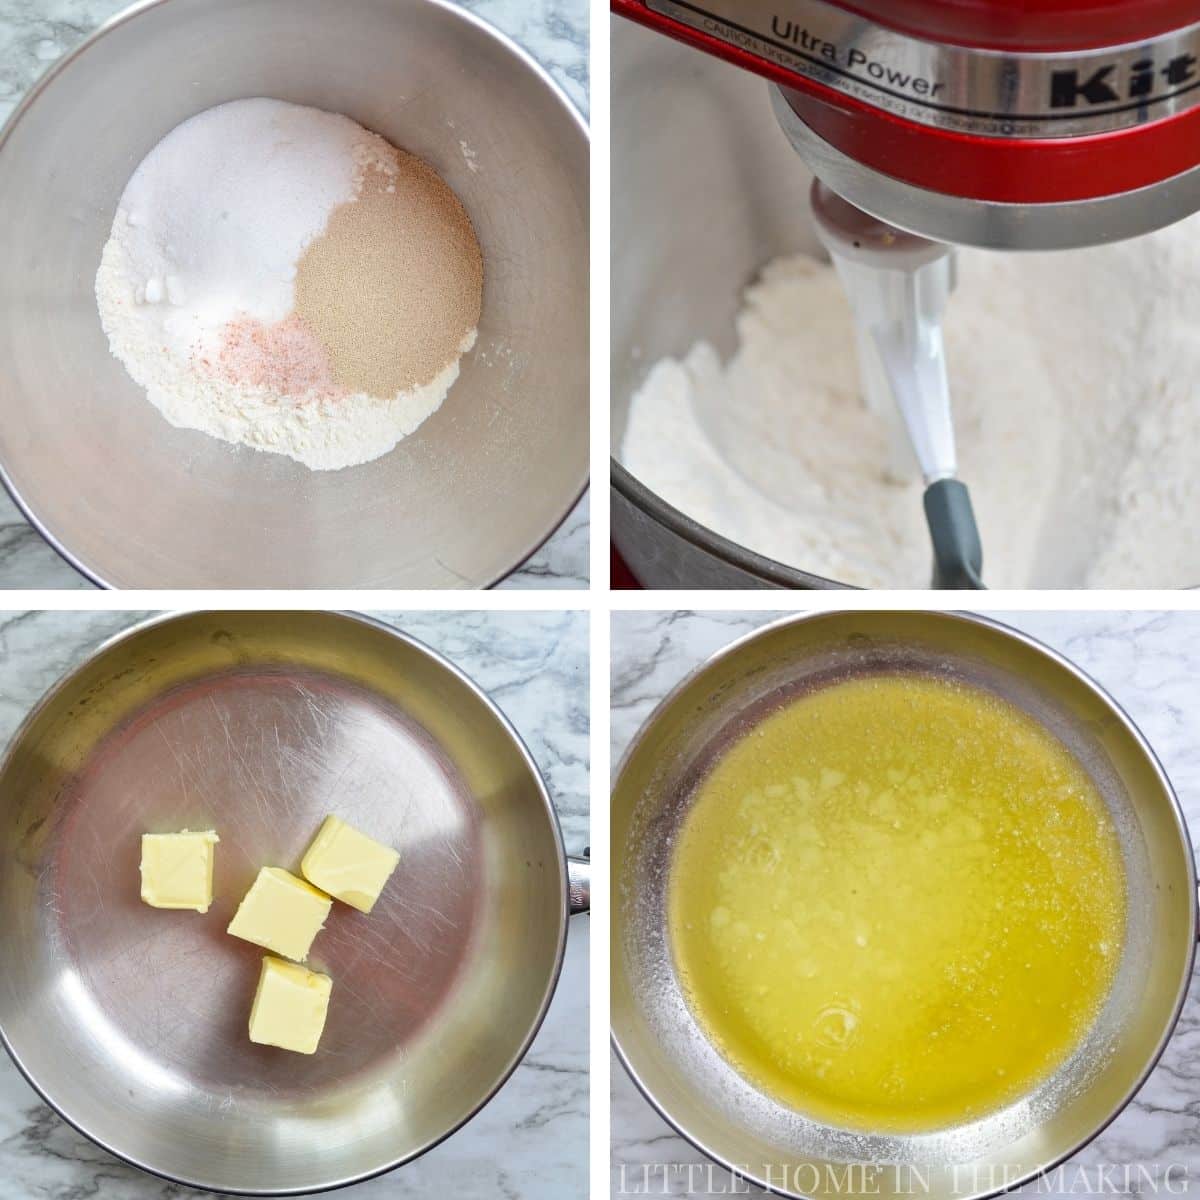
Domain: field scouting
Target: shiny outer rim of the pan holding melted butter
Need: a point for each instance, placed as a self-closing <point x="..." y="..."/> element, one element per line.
<point x="1083" y="680"/>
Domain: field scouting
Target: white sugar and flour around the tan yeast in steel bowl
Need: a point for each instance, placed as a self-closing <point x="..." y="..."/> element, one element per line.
<point x="209" y="232"/>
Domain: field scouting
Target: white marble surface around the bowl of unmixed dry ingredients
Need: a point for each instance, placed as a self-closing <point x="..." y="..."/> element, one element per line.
<point x="37" y="33"/>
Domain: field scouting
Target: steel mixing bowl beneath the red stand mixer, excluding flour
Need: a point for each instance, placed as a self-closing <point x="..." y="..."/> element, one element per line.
<point x="705" y="191"/>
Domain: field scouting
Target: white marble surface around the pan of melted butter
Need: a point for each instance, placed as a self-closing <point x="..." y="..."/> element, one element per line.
<point x="1150" y="663"/>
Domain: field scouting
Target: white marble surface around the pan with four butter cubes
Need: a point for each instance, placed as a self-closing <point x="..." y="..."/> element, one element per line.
<point x="532" y="1142"/>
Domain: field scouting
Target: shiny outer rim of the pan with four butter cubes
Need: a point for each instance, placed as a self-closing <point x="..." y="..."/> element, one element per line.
<point x="518" y="1057"/>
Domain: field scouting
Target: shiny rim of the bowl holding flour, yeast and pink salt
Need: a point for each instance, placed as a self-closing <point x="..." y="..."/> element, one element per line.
<point x="135" y="10"/>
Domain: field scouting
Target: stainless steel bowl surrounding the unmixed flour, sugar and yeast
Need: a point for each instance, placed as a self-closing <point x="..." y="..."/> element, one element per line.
<point x="133" y="502"/>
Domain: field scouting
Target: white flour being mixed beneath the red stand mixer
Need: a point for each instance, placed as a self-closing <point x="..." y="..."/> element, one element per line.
<point x="1073" y="381"/>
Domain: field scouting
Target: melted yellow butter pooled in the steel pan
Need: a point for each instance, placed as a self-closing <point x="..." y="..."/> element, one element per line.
<point x="897" y="904"/>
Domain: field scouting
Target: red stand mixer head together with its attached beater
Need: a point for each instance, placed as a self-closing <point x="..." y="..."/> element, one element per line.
<point x="931" y="123"/>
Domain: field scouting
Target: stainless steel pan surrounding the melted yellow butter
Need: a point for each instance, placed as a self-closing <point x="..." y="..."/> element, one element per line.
<point x="722" y="1113"/>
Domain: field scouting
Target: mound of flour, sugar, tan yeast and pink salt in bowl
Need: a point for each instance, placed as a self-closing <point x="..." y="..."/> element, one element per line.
<point x="280" y="278"/>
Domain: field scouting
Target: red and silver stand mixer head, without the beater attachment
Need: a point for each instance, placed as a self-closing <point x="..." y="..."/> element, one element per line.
<point x="985" y="123"/>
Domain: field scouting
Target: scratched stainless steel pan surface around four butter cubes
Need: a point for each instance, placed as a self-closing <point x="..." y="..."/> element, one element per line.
<point x="133" y="1022"/>
